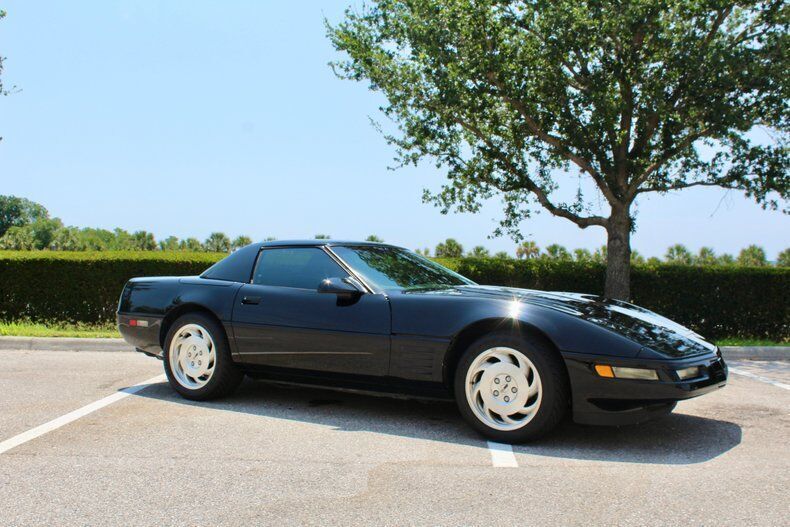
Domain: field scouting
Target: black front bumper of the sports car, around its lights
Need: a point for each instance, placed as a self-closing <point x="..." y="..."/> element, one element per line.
<point x="607" y="401"/>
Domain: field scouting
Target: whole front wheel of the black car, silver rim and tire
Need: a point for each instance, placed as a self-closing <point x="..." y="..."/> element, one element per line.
<point x="511" y="388"/>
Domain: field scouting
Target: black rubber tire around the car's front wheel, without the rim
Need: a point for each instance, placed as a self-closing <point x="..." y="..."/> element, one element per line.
<point x="555" y="400"/>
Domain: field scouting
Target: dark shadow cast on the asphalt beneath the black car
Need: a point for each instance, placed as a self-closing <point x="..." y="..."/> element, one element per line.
<point x="676" y="439"/>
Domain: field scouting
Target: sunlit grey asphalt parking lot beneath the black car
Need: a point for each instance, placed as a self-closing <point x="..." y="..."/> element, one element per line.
<point x="277" y="455"/>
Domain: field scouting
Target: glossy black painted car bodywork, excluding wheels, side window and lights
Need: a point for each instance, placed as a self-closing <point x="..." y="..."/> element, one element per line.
<point x="405" y="340"/>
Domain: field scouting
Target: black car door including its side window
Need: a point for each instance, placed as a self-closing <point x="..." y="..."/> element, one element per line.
<point x="281" y="320"/>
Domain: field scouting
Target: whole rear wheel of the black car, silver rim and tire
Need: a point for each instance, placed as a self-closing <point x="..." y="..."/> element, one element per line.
<point x="197" y="359"/>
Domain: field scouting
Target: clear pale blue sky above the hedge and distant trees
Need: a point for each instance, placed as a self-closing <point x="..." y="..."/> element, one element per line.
<point x="184" y="118"/>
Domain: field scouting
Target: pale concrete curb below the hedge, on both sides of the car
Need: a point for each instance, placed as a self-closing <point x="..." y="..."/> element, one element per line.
<point x="93" y="344"/>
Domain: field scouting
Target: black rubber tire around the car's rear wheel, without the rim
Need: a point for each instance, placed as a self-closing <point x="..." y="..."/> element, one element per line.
<point x="226" y="376"/>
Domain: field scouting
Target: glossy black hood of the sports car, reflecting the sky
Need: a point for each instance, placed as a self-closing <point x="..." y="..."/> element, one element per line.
<point x="640" y="325"/>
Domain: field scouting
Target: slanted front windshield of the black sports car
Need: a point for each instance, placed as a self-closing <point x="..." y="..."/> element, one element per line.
<point x="393" y="268"/>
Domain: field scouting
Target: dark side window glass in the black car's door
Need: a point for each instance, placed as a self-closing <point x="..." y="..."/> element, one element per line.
<point x="298" y="267"/>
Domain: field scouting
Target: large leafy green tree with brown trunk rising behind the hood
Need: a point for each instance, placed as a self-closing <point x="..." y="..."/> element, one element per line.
<point x="527" y="99"/>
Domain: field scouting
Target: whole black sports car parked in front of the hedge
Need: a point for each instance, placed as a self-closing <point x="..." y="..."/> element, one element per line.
<point x="376" y="317"/>
